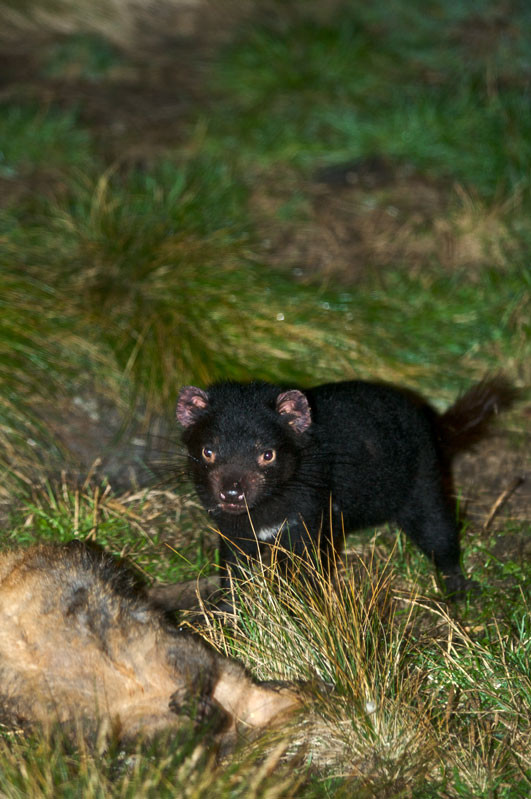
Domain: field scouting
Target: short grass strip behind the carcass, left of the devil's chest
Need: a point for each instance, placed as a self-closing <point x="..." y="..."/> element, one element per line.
<point x="154" y="535"/>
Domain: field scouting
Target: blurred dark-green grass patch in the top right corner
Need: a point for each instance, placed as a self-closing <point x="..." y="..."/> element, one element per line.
<point x="306" y="92"/>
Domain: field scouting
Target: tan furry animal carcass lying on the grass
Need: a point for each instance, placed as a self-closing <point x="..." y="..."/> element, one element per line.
<point x="80" y="644"/>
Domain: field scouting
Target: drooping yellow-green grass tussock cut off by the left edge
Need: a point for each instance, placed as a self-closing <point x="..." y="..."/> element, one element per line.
<point x="46" y="353"/>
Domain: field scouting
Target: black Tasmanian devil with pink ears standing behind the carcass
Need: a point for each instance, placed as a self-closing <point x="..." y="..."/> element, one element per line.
<point x="300" y="467"/>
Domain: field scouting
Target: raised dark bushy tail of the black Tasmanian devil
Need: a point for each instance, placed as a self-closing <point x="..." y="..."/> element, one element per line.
<point x="468" y="420"/>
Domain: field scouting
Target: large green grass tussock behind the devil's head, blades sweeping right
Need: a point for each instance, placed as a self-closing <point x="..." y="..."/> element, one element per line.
<point x="160" y="268"/>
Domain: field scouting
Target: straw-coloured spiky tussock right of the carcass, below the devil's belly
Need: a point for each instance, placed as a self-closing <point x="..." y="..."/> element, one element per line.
<point x="348" y="643"/>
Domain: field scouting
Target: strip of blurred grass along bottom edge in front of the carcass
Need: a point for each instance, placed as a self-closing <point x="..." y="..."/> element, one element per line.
<point x="163" y="769"/>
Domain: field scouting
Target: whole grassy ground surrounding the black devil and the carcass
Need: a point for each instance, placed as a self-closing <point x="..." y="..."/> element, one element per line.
<point x="293" y="193"/>
